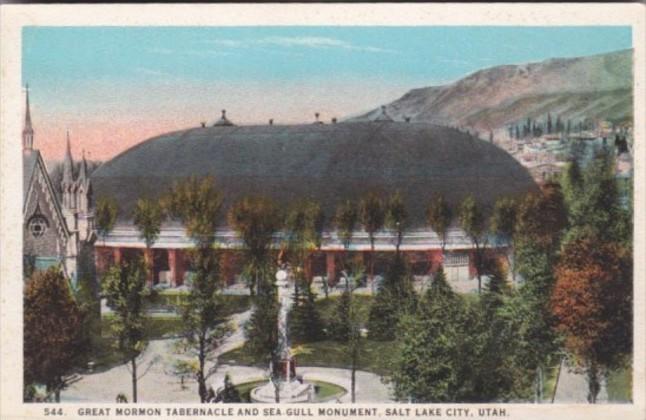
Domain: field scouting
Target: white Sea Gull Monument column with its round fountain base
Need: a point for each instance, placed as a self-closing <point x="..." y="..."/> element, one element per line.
<point x="283" y="373"/>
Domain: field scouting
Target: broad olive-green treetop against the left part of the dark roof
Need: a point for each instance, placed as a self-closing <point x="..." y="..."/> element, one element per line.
<point x="196" y="202"/>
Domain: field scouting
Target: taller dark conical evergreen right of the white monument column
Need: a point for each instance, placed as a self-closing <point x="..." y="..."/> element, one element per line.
<point x="395" y="297"/>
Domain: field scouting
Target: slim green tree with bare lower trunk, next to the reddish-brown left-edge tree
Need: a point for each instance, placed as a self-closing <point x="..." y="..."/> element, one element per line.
<point x="124" y="287"/>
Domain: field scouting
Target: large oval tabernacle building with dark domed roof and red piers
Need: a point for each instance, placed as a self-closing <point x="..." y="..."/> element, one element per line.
<point x="327" y="163"/>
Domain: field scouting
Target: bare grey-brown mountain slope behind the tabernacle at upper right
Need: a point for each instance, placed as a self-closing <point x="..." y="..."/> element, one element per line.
<point x="595" y="87"/>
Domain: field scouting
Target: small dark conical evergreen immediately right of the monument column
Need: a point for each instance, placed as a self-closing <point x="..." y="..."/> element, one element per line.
<point x="305" y="324"/>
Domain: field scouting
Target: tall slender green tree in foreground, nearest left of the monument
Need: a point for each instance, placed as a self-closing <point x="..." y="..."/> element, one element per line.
<point x="203" y="322"/>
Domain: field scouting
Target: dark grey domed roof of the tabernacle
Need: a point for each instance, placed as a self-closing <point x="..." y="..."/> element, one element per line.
<point x="324" y="162"/>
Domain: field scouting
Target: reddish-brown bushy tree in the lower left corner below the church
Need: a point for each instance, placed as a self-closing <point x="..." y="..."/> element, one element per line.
<point x="52" y="326"/>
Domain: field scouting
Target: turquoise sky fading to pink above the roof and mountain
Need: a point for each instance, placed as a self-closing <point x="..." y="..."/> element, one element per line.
<point x="113" y="87"/>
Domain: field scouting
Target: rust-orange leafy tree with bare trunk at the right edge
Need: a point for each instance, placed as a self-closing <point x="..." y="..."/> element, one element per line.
<point x="592" y="303"/>
